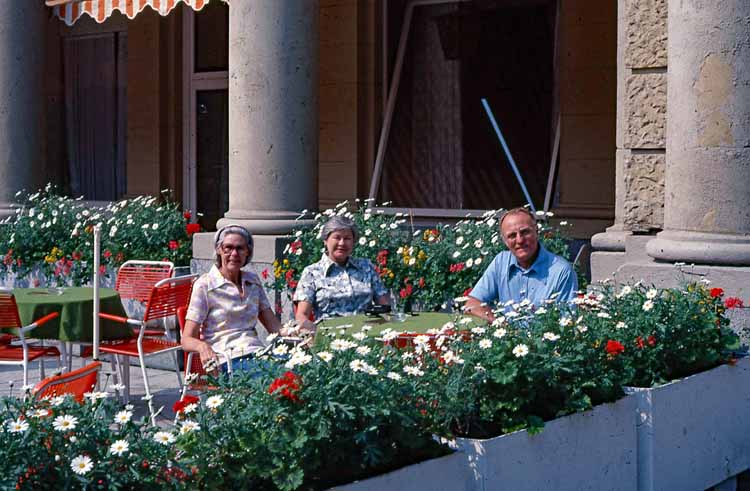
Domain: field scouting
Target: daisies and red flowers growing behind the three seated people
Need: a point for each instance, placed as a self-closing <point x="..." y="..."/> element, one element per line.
<point x="424" y="268"/>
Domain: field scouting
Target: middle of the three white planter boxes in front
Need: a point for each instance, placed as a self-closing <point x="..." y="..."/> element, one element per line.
<point x="593" y="450"/>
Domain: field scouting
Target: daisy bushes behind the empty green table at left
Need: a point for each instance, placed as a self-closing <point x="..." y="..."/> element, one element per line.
<point x="55" y="233"/>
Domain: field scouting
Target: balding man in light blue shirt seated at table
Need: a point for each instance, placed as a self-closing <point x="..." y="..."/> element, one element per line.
<point x="526" y="271"/>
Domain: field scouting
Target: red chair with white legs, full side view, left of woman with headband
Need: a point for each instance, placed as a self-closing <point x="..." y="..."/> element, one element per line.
<point x="165" y="298"/>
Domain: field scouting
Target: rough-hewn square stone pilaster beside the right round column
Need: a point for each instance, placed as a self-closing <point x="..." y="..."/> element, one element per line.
<point x="641" y="133"/>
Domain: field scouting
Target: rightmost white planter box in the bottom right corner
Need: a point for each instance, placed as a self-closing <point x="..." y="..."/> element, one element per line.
<point x="694" y="433"/>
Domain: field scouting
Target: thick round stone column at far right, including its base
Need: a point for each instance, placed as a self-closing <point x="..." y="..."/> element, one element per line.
<point x="707" y="217"/>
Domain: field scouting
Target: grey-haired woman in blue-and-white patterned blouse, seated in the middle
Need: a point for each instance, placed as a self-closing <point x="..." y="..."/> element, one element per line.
<point x="338" y="284"/>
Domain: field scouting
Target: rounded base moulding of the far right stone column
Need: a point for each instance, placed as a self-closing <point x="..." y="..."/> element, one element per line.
<point x="701" y="248"/>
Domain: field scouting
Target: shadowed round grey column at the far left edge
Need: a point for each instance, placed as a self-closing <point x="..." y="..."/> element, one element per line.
<point x="22" y="98"/>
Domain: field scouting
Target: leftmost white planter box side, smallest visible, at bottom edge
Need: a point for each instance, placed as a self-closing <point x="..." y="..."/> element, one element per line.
<point x="449" y="473"/>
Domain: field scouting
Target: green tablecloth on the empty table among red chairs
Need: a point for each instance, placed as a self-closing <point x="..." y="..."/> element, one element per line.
<point x="76" y="308"/>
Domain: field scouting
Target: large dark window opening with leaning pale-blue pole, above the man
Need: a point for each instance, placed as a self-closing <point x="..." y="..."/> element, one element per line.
<point x="442" y="151"/>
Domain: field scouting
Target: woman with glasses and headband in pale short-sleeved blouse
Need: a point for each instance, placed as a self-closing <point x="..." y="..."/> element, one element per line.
<point x="227" y="303"/>
